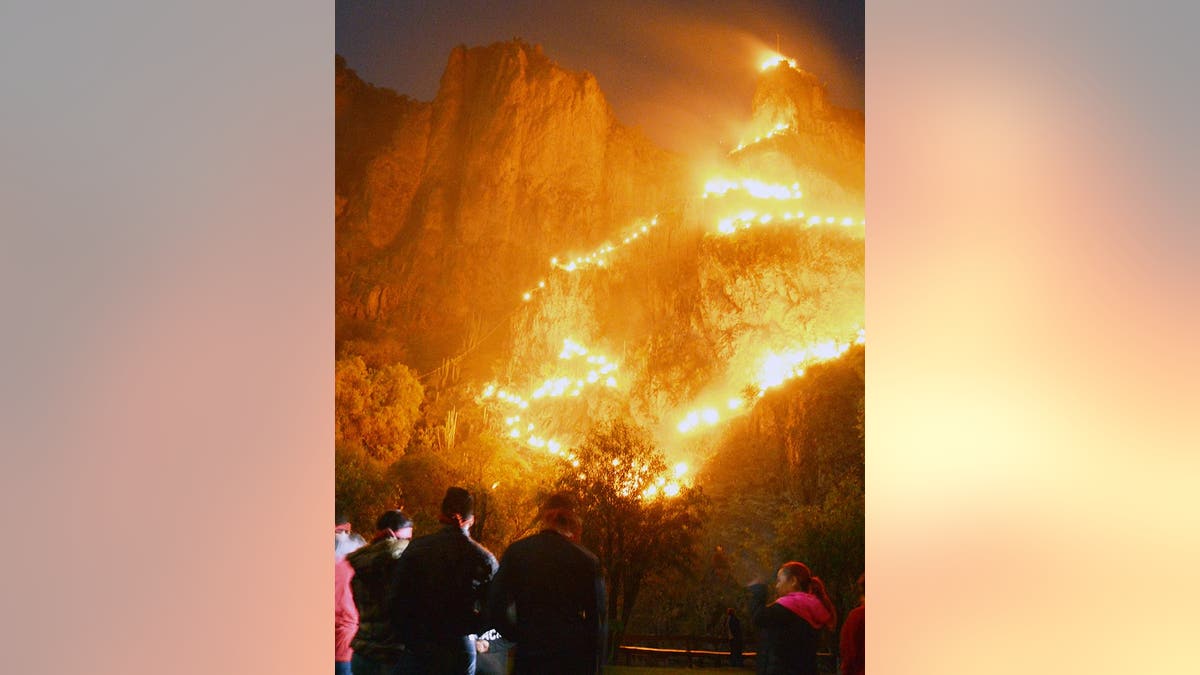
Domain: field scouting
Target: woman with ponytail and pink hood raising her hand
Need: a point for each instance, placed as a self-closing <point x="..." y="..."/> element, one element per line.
<point x="789" y="629"/>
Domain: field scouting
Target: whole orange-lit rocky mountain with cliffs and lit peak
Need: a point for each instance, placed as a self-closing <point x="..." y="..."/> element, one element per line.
<point x="451" y="211"/>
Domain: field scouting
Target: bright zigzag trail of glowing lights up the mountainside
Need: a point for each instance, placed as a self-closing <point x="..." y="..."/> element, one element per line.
<point x="737" y="201"/>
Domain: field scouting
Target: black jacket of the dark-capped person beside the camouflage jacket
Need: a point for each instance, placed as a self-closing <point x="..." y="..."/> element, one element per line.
<point x="440" y="588"/>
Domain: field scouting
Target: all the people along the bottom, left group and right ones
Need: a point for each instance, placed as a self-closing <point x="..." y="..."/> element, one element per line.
<point x="442" y="605"/>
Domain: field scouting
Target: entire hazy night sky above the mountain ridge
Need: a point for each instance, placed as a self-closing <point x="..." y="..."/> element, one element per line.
<point x="683" y="73"/>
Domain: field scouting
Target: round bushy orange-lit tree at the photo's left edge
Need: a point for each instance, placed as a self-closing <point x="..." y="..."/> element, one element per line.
<point x="376" y="408"/>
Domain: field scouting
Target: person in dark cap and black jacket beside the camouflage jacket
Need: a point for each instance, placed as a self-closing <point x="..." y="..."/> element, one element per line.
<point x="441" y="584"/>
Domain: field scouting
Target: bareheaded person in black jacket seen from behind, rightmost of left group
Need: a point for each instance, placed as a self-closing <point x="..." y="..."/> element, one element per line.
<point x="549" y="598"/>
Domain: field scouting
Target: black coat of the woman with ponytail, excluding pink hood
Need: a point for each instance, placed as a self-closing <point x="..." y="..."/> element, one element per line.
<point x="788" y="644"/>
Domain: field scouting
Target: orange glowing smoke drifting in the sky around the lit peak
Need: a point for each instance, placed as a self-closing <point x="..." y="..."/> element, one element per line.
<point x="686" y="73"/>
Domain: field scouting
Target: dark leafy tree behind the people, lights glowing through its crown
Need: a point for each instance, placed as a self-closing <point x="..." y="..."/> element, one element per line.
<point x="633" y="535"/>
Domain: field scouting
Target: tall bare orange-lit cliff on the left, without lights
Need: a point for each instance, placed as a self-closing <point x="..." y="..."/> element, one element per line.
<point x="517" y="160"/>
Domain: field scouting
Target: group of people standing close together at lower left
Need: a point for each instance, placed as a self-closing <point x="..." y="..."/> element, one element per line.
<point x="443" y="605"/>
